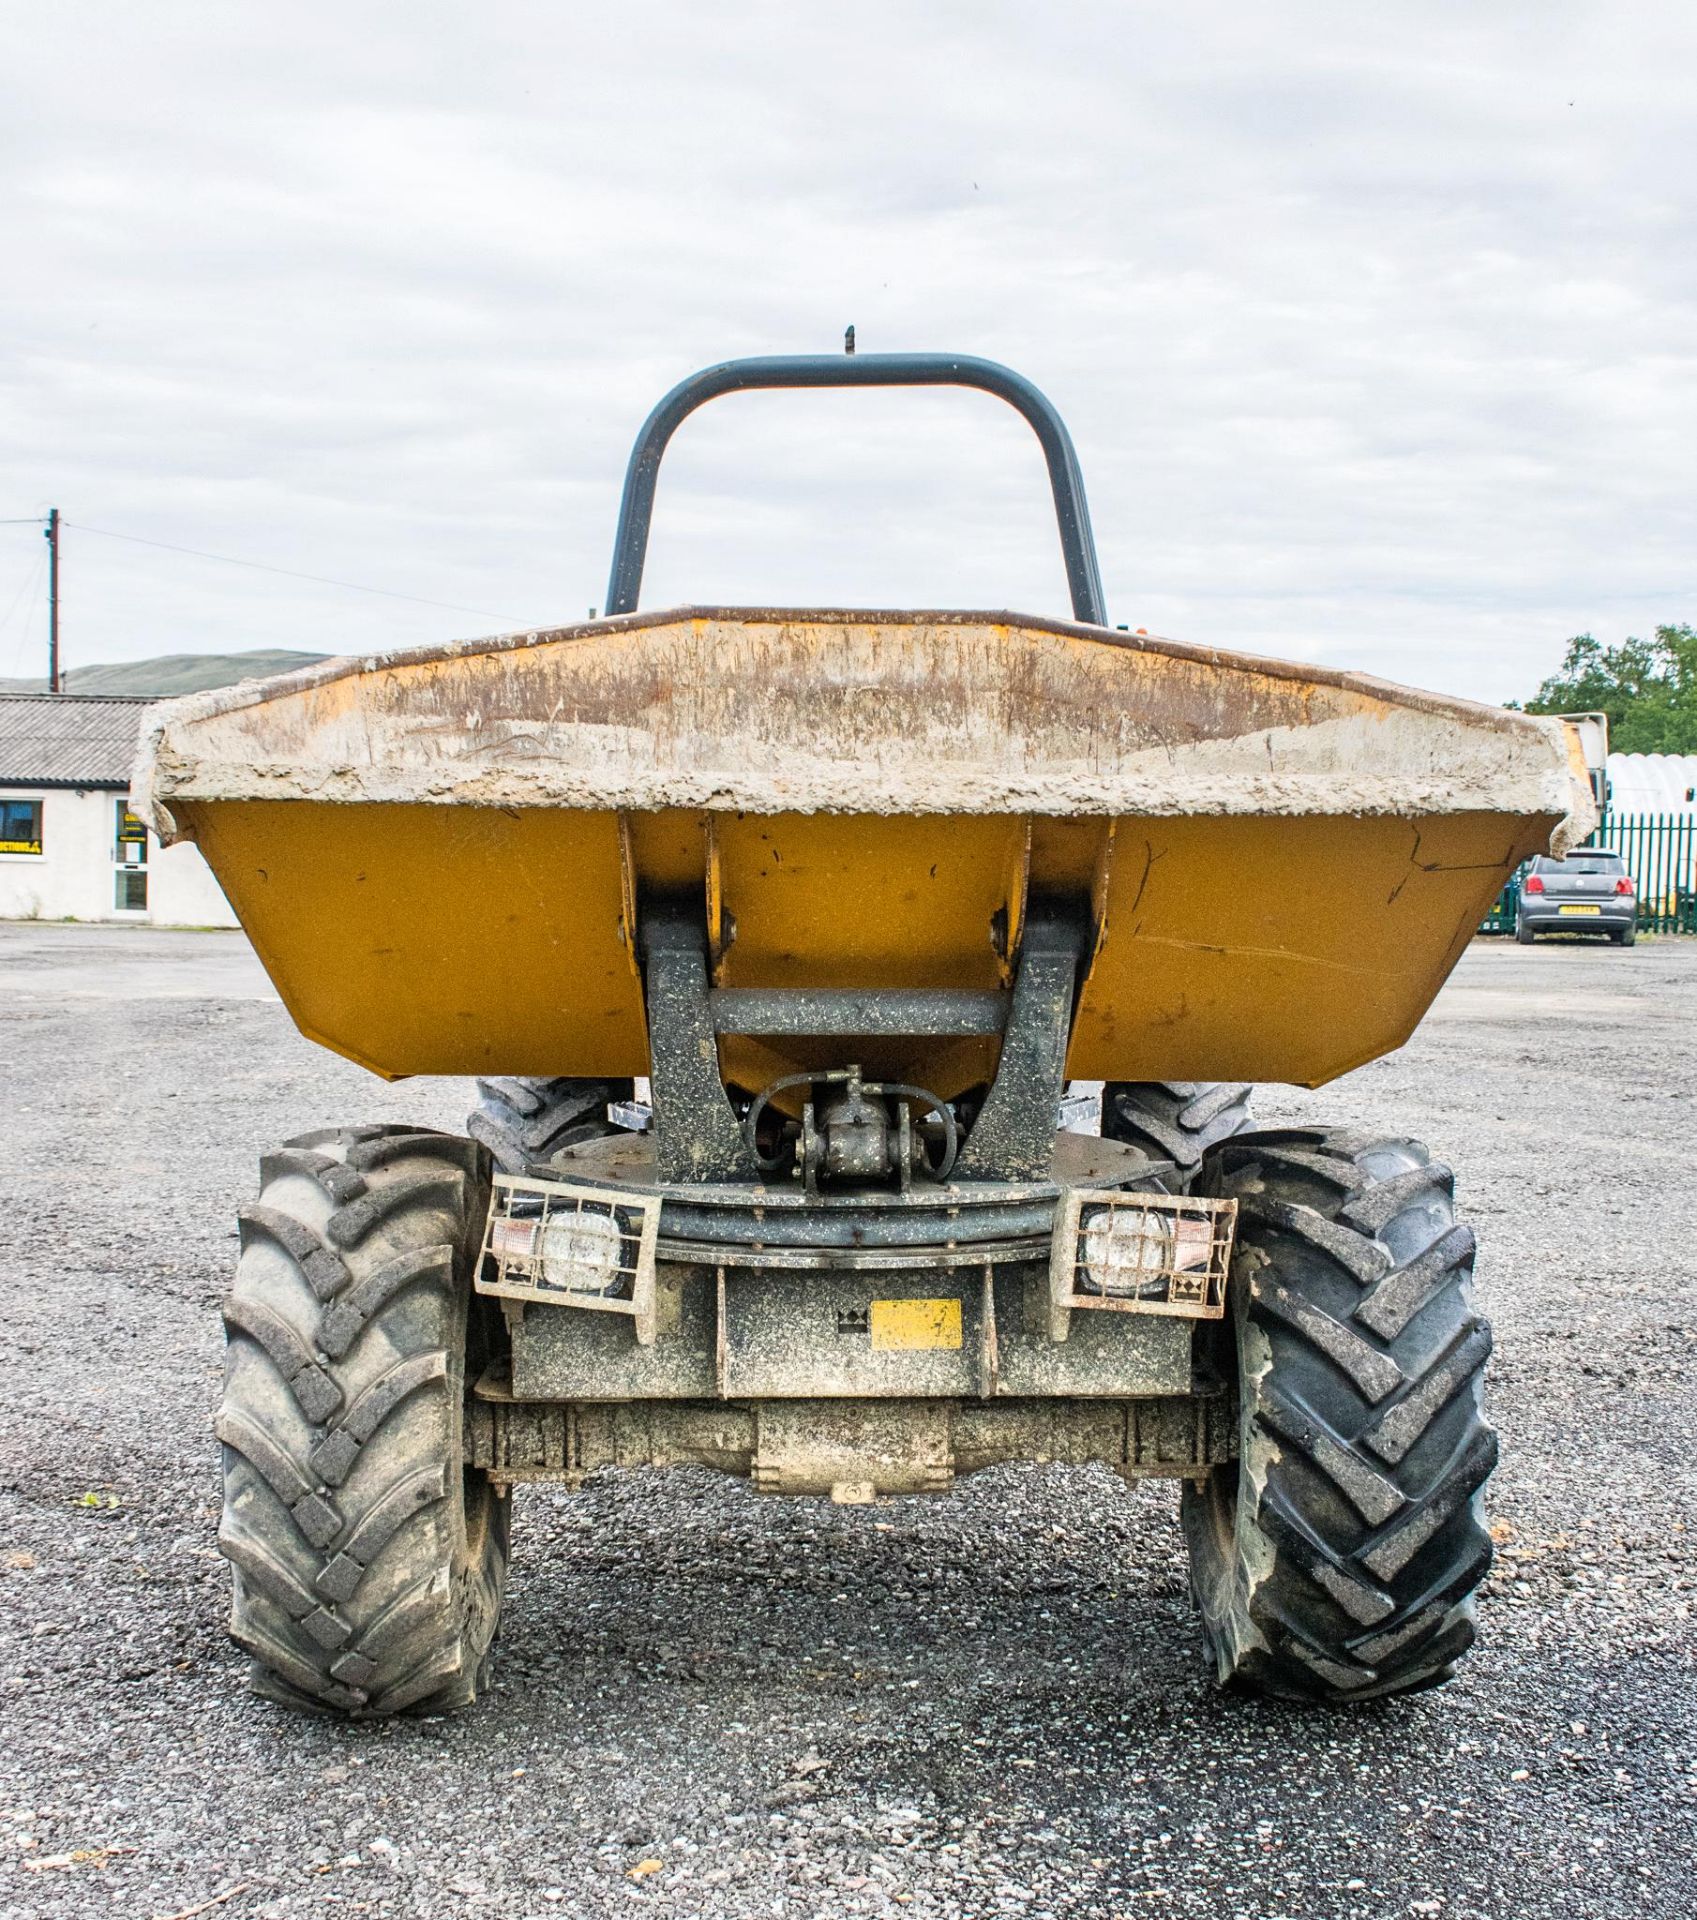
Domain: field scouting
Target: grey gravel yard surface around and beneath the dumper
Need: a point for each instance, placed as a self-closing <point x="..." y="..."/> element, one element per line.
<point x="711" y="1704"/>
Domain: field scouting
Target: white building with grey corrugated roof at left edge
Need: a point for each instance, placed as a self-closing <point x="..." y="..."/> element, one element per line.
<point x="70" y="848"/>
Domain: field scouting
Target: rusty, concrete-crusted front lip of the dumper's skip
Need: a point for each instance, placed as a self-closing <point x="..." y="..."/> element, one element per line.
<point x="769" y="711"/>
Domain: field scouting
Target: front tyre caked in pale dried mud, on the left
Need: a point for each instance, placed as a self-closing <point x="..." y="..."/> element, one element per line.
<point x="370" y="1562"/>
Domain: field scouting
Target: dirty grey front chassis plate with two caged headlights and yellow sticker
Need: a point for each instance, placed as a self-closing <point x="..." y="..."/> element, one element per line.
<point x="619" y="1287"/>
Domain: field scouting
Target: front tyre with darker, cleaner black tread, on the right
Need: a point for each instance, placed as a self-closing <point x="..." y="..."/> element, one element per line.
<point x="1337" y="1558"/>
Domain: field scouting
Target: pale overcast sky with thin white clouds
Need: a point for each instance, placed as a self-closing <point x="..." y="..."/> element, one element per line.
<point x="1375" y="327"/>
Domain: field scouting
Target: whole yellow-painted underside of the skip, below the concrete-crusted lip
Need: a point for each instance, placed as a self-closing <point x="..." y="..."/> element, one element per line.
<point x="487" y="940"/>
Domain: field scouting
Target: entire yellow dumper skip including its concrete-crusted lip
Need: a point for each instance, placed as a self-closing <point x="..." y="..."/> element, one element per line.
<point x="441" y="855"/>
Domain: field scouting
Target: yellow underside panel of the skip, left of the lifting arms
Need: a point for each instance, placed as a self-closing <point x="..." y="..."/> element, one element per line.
<point x="437" y="940"/>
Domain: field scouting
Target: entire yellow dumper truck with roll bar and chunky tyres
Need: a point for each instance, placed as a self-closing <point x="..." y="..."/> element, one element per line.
<point x="859" y="896"/>
